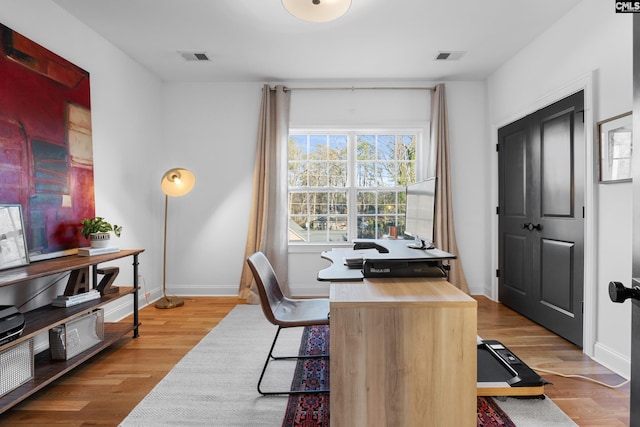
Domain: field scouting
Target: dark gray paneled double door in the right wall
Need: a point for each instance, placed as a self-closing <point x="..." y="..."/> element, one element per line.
<point x="541" y="234"/>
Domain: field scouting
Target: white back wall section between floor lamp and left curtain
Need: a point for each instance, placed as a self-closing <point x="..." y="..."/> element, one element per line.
<point x="212" y="130"/>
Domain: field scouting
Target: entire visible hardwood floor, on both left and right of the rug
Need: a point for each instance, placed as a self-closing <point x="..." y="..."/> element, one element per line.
<point x="103" y="391"/>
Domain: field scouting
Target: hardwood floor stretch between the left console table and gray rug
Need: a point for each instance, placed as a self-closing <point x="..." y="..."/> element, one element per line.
<point x="104" y="390"/>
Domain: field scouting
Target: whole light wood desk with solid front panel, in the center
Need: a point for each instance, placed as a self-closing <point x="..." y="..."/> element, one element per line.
<point x="403" y="353"/>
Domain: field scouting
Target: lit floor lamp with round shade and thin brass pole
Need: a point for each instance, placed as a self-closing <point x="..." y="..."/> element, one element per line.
<point x="175" y="183"/>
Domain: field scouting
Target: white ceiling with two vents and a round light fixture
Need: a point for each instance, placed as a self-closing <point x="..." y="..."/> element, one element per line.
<point x="259" y="41"/>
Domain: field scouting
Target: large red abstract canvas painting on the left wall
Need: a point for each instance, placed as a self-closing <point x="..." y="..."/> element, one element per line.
<point x="46" y="156"/>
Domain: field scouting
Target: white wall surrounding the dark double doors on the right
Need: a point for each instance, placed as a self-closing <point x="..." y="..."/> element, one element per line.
<point x="592" y="43"/>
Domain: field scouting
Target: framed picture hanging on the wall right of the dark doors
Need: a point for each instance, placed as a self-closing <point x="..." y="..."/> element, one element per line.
<point x="615" y="143"/>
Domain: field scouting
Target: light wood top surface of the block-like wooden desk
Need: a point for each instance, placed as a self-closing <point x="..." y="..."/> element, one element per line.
<point x="399" y="292"/>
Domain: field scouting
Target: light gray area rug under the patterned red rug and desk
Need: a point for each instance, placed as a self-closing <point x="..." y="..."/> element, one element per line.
<point x="215" y="383"/>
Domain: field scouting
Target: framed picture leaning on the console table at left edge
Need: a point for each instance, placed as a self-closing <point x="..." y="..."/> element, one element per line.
<point x="13" y="242"/>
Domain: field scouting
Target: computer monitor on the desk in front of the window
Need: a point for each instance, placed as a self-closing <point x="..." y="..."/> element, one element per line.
<point x="420" y="210"/>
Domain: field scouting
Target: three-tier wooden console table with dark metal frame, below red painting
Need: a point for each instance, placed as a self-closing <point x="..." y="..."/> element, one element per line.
<point x="44" y="318"/>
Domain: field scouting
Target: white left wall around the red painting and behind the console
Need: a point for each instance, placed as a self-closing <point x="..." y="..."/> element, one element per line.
<point x="126" y="116"/>
